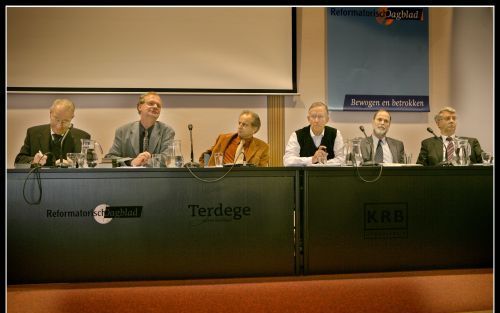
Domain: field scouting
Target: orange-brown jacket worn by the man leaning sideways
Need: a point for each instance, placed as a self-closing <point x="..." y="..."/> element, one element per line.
<point x="257" y="153"/>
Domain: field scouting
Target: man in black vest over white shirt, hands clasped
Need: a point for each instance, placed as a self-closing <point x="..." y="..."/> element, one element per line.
<point x="316" y="143"/>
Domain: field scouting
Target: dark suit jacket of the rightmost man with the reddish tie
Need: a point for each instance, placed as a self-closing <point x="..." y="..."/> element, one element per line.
<point x="431" y="151"/>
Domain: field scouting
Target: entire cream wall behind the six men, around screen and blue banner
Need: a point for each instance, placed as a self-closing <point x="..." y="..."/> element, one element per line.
<point x="461" y="75"/>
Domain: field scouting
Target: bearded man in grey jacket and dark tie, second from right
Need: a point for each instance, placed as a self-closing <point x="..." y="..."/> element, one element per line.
<point x="385" y="149"/>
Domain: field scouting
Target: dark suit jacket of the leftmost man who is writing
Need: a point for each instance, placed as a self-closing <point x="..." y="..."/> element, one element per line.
<point x="38" y="139"/>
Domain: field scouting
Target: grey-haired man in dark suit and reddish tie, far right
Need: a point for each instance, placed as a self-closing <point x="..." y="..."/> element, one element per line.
<point x="434" y="150"/>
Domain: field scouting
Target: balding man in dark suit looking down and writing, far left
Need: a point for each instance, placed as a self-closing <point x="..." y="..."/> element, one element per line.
<point x="48" y="144"/>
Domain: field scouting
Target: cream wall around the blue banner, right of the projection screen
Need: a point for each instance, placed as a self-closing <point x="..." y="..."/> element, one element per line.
<point x="461" y="65"/>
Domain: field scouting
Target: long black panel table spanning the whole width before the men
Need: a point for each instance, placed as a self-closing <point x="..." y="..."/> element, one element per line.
<point x="145" y="224"/>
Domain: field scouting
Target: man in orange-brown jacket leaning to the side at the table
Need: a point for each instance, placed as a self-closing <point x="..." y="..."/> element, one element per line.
<point x="241" y="147"/>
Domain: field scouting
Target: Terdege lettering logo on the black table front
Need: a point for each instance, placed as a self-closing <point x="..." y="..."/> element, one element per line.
<point x="217" y="213"/>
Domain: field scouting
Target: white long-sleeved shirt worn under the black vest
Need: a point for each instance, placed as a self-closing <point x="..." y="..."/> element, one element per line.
<point x="292" y="152"/>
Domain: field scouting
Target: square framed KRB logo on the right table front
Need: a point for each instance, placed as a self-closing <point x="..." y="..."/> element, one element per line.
<point x="385" y="220"/>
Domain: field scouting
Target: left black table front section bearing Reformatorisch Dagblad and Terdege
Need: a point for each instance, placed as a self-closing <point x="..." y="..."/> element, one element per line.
<point x="250" y="230"/>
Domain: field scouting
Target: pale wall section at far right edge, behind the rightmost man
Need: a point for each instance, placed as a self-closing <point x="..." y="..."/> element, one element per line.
<point x="472" y="73"/>
